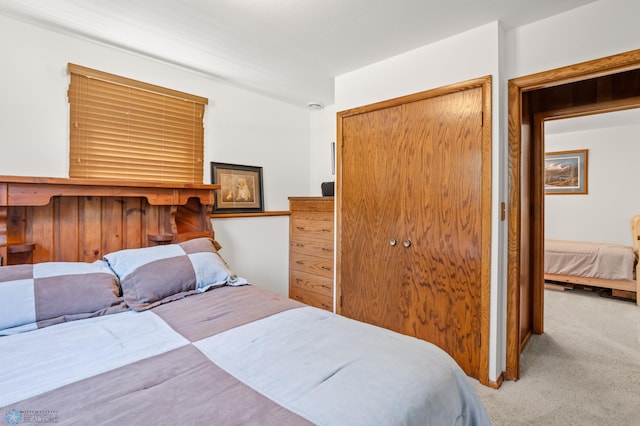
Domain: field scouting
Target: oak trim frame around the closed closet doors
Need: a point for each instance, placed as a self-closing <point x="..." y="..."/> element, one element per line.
<point x="487" y="142"/>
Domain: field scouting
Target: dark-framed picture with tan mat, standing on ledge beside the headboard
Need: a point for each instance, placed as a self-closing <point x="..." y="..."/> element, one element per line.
<point x="241" y="188"/>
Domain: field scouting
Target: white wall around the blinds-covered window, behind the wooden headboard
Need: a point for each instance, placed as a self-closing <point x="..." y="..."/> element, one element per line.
<point x="240" y="127"/>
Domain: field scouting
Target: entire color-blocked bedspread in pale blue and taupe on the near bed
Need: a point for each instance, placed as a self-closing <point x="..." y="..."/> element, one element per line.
<point x="231" y="356"/>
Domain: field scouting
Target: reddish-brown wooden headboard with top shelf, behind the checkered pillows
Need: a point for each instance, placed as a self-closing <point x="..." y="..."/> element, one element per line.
<point x="71" y="220"/>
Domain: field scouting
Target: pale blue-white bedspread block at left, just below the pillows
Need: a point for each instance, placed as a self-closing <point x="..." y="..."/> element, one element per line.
<point x="40" y="360"/>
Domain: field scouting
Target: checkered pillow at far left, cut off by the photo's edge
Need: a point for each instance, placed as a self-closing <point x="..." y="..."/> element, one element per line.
<point x="48" y="293"/>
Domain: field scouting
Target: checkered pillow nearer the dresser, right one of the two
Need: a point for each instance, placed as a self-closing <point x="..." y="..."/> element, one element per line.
<point x="151" y="276"/>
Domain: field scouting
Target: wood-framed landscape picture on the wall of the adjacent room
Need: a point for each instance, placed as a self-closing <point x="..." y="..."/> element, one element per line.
<point x="566" y="172"/>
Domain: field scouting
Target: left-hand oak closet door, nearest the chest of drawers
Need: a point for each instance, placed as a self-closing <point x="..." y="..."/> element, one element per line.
<point x="372" y="216"/>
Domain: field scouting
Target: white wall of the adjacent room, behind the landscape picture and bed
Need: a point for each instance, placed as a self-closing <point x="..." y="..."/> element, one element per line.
<point x="604" y="214"/>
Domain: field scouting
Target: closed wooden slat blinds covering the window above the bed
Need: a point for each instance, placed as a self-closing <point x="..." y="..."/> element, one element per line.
<point x="123" y="129"/>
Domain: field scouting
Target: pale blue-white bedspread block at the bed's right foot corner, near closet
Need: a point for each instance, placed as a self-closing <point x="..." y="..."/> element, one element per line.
<point x="278" y="356"/>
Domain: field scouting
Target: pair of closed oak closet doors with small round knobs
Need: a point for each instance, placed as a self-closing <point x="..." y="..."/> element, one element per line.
<point x="411" y="220"/>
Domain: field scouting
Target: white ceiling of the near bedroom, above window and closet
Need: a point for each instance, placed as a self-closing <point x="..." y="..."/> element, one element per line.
<point x="286" y="49"/>
